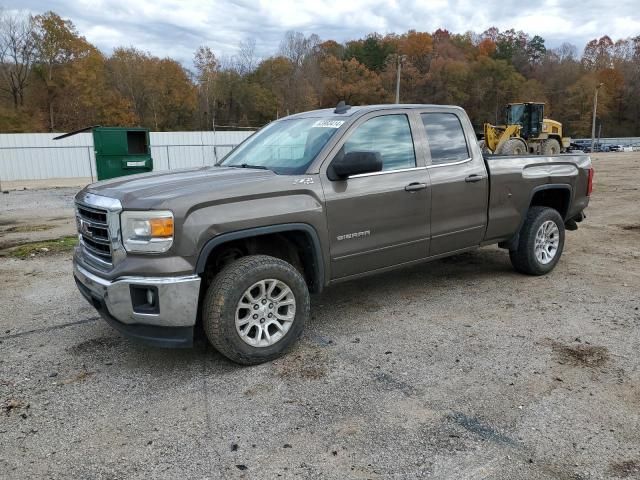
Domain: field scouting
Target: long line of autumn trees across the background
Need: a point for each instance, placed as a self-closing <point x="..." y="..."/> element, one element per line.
<point x="52" y="78"/>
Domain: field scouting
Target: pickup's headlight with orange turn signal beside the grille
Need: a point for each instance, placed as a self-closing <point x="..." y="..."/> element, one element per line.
<point x="150" y="231"/>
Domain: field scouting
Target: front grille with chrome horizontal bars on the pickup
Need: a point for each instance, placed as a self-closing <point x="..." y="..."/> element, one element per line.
<point x="93" y="227"/>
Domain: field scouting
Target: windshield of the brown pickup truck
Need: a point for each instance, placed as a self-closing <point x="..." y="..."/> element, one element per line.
<point x="286" y="147"/>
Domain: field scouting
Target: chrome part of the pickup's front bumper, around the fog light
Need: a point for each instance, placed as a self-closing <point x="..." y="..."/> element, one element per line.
<point x="177" y="297"/>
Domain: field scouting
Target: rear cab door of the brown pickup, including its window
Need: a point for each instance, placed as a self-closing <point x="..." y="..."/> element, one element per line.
<point x="459" y="184"/>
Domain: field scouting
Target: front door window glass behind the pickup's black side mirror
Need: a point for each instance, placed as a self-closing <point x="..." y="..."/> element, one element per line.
<point x="390" y="136"/>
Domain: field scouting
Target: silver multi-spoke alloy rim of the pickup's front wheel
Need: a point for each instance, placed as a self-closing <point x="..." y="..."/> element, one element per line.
<point x="265" y="312"/>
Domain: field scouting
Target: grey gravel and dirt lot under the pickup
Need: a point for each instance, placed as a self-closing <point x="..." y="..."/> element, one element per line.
<point x="458" y="369"/>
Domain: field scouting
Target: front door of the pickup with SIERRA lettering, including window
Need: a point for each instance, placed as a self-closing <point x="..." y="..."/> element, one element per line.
<point x="378" y="219"/>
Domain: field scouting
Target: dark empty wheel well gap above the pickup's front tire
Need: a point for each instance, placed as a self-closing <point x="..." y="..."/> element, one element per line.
<point x="295" y="247"/>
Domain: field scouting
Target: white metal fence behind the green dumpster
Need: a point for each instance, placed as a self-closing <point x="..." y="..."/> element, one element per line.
<point x="36" y="156"/>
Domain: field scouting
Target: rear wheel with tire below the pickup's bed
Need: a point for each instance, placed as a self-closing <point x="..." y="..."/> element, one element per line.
<point x="526" y="257"/>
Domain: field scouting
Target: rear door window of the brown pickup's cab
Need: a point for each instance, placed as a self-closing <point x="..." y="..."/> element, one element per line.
<point x="446" y="137"/>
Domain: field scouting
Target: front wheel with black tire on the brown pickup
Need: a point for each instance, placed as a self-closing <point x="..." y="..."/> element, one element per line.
<point x="263" y="278"/>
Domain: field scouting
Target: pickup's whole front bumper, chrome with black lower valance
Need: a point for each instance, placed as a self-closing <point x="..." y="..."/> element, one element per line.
<point x="170" y="325"/>
